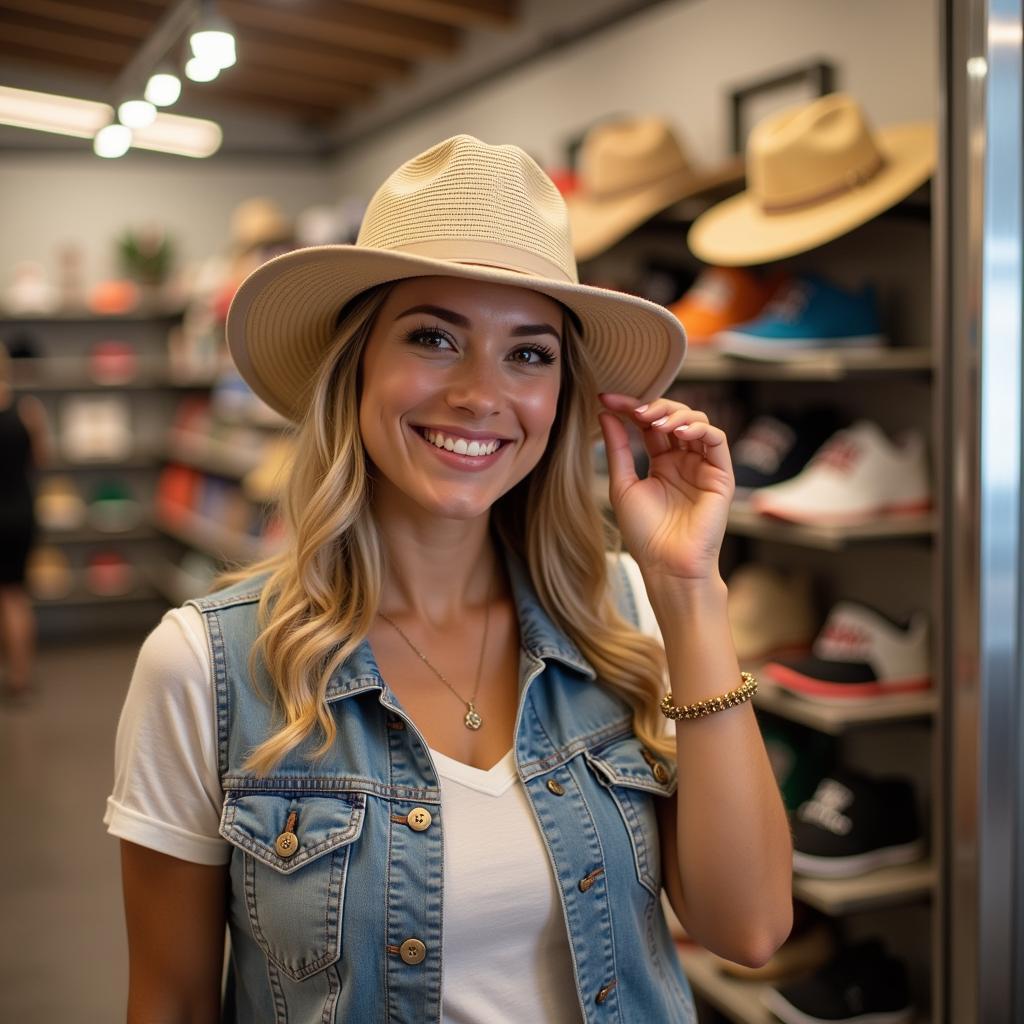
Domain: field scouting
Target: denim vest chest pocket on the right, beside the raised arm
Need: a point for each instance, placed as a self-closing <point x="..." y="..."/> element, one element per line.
<point x="635" y="777"/>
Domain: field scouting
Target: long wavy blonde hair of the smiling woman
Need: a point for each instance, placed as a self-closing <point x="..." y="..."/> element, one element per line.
<point x="325" y="583"/>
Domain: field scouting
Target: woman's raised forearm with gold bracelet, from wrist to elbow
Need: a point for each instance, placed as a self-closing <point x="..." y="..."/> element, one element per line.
<point x="733" y="841"/>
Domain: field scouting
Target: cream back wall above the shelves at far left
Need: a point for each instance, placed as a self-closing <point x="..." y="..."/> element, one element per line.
<point x="50" y="200"/>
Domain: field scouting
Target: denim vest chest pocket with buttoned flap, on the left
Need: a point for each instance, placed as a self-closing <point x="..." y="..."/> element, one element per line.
<point x="295" y="901"/>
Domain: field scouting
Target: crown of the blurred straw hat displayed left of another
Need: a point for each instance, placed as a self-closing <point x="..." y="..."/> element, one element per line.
<point x="620" y="156"/>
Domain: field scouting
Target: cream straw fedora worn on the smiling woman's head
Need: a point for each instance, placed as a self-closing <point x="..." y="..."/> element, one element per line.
<point x="461" y="209"/>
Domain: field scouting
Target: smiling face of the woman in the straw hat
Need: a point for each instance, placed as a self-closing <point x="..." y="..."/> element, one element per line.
<point x="460" y="361"/>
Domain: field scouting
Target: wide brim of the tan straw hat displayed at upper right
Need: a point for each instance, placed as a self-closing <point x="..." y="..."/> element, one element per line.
<point x="739" y="233"/>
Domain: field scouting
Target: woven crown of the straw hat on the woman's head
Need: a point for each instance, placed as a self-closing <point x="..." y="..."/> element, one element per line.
<point x="474" y="204"/>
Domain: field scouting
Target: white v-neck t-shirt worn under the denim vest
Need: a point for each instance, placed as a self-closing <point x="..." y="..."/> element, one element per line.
<point x="506" y="953"/>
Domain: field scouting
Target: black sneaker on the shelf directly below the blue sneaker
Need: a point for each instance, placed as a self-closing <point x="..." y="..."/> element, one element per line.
<point x="777" y="448"/>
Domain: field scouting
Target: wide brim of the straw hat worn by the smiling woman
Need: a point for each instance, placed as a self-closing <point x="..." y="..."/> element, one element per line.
<point x="284" y="317"/>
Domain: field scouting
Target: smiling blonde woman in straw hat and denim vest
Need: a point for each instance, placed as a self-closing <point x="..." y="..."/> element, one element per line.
<point x="417" y="761"/>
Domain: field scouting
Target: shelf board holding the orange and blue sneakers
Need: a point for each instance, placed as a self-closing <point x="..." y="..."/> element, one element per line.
<point x="709" y="365"/>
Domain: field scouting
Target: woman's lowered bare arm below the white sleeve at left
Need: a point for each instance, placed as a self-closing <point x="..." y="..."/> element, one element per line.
<point x="176" y="914"/>
